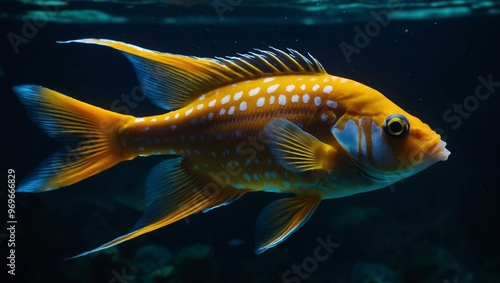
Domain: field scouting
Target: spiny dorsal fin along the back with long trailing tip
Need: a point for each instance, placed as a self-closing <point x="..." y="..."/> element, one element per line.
<point x="172" y="81"/>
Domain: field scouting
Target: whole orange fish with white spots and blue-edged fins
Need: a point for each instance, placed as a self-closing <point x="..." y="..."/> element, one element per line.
<point x="263" y="121"/>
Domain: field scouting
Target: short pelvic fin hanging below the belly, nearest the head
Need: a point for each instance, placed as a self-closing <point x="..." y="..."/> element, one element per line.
<point x="278" y="220"/>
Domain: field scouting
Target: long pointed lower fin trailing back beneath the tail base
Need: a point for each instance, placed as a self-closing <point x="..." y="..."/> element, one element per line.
<point x="173" y="192"/>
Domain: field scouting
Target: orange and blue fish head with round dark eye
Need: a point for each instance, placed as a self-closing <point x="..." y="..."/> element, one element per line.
<point x="386" y="143"/>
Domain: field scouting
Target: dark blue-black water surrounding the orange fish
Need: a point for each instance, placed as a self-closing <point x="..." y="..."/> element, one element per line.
<point x="441" y="225"/>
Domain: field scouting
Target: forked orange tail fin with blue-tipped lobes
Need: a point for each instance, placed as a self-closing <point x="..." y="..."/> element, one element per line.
<point x="91" y="135"/>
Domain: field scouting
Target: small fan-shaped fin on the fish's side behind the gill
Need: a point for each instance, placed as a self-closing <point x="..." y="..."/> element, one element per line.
<point x="295" y="149"/>
